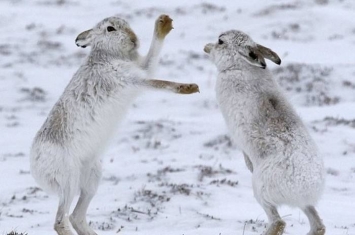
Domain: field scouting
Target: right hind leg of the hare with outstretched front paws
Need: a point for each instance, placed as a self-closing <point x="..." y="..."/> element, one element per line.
<point x="89" y="182"/>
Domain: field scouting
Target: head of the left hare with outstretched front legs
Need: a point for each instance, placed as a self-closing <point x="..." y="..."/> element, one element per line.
<point x="113" y="35"/>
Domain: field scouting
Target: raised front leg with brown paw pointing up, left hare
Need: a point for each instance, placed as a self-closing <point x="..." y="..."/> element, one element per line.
<point x="163" y="25"/>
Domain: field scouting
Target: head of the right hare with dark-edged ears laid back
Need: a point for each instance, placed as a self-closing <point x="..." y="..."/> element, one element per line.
<point x="234" y="46"/>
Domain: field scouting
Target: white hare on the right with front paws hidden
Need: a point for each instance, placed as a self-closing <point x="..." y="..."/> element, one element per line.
<point x="278" y="150"/>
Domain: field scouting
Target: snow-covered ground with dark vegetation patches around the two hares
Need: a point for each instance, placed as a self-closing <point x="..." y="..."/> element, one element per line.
<point x="171" y="168"/>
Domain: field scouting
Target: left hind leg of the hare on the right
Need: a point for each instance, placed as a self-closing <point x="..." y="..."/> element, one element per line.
<point x="276" y="224"/>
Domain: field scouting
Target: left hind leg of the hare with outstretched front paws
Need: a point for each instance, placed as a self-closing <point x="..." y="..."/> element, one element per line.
<point x="62" y="224"/>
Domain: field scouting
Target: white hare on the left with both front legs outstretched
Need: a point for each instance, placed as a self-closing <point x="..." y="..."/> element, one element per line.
<point x="65" y="155"/>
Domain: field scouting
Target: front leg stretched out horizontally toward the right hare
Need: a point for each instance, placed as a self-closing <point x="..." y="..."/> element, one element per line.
<point x="180" y="88"/>
